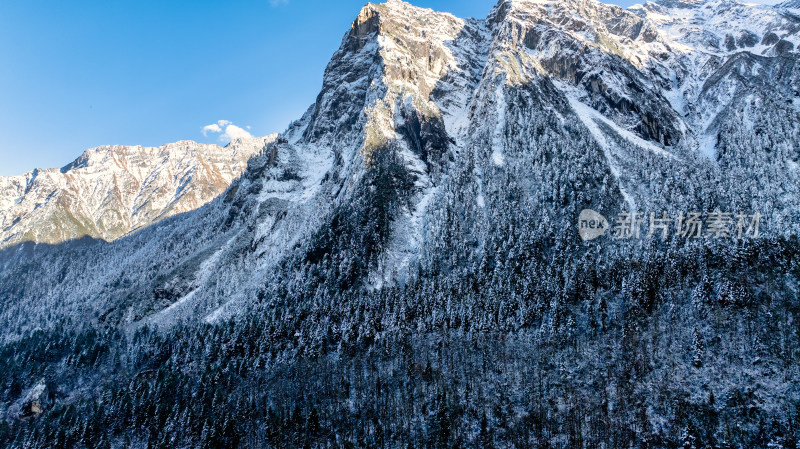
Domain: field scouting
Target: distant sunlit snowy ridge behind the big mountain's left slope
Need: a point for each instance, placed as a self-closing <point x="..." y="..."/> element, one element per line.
<point x="111" y="191"/>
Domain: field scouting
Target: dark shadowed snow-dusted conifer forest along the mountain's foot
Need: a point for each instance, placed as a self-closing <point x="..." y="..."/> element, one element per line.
<point x="523" y="356"/>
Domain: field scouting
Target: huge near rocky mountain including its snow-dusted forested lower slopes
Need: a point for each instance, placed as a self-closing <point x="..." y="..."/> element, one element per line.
<point x="419" y="224"/>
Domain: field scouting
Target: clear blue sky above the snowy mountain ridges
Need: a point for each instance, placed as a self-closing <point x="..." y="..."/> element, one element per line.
<point x="78" y="74"/>
